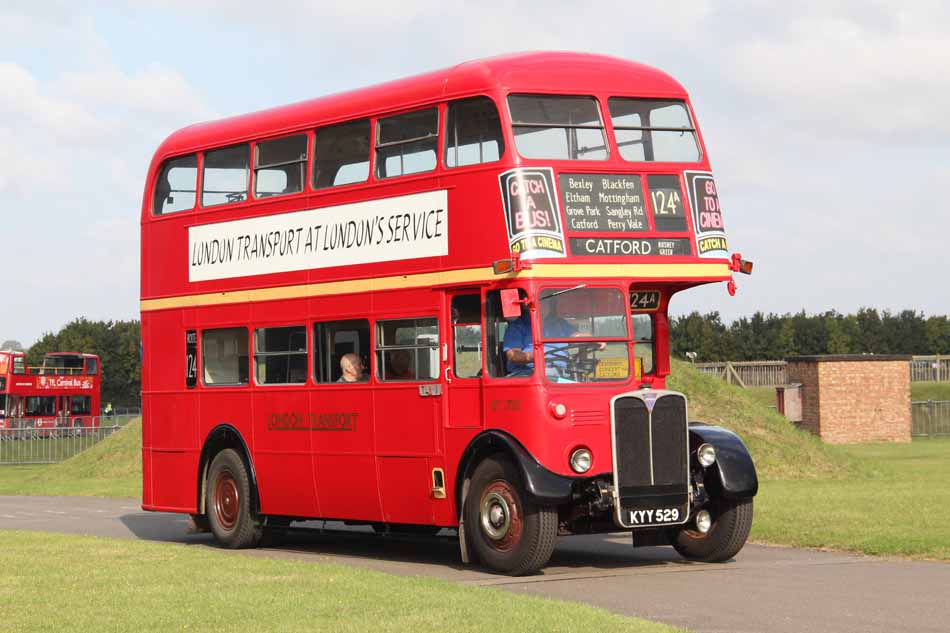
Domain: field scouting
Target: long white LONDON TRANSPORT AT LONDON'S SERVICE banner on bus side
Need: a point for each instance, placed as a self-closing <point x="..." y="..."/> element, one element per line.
<point x="401" y="227"/>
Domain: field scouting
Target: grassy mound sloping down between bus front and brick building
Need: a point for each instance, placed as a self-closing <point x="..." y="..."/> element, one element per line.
<point x="780" y="450"/>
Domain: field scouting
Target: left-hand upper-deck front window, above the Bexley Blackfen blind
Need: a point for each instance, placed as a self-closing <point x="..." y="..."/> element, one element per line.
<point x="561" y="128"/>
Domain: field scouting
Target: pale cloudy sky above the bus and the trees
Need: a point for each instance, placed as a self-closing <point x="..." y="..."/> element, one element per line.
<point x="826" y="124"/>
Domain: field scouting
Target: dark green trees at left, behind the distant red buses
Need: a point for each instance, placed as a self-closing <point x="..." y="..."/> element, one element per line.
<point x="118" y="345"/>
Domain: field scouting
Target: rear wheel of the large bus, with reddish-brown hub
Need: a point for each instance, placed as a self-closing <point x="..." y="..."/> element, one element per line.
<point x="229" y="511"/>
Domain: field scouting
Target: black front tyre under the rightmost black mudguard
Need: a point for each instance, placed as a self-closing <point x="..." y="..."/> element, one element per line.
<point x="731" y="522"/>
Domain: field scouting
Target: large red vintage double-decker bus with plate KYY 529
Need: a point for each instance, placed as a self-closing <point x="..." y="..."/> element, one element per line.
<point x="440" y="302"/>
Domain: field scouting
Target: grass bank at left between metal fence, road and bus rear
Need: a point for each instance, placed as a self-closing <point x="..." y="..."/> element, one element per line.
<point x="111" y="468"/>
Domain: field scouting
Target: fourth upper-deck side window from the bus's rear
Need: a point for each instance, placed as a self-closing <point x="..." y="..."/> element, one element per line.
<point x="341" y="154"/>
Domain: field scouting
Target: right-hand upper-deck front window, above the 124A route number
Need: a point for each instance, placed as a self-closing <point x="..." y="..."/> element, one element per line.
<point x="653" y="130"/>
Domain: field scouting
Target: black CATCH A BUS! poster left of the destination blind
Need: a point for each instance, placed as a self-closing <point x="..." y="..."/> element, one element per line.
<point x="531" y="213"/>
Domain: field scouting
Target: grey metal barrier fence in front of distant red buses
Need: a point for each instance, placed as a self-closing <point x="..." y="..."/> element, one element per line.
<point x="24" y="443"/>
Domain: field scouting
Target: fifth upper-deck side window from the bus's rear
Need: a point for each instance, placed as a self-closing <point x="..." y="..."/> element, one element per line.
<point x="407" y="143"/>
